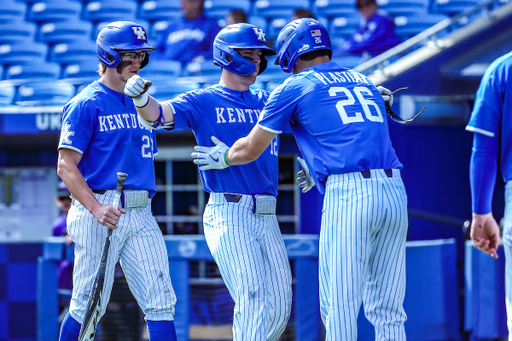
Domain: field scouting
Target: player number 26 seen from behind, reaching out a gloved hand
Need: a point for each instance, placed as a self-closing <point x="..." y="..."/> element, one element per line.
<point x="339" y="121"/>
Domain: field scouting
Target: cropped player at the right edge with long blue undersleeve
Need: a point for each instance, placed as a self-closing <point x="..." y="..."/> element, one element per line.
<point x="492" y="124"/>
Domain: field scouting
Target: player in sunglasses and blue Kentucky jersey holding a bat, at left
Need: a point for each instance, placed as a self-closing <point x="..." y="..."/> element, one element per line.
<point x="101" y="136"/>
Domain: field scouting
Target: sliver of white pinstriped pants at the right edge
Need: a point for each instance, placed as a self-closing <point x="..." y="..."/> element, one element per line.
<point x="507" y="246"/>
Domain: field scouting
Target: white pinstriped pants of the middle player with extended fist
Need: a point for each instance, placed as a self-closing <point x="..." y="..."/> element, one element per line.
<point x="252" y="259"/>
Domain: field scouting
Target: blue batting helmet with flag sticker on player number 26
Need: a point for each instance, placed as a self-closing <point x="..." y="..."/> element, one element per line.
<point x="299" y="37"/>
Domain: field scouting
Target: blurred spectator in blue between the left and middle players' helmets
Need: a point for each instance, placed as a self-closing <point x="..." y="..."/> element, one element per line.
<point x="189" y="37"/>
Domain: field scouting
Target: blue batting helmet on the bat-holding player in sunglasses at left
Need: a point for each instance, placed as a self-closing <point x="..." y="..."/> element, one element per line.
<point x="118" y="37"/>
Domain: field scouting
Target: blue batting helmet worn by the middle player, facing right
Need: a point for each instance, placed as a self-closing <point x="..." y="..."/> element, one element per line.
<point x="240" y="36"/>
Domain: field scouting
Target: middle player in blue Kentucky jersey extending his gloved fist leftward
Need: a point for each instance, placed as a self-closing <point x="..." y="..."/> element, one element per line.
<point x="240" y="224"/>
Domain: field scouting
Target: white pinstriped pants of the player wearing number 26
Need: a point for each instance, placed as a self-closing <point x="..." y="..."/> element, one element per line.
<point x="362" y="255"/>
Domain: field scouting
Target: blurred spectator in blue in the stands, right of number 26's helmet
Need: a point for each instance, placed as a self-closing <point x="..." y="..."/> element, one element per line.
<point x="375" y="34"/>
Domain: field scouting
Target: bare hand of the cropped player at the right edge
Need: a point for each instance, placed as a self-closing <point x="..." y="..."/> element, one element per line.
<point x="485" y="233"/>
